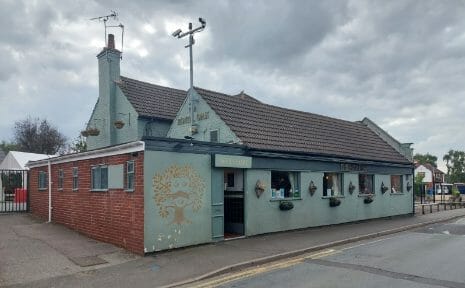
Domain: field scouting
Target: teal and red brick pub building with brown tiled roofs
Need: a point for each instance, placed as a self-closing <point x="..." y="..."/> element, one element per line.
<point x="168" y="168"/>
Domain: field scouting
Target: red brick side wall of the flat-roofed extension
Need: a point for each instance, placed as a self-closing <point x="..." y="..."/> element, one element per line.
<point x="114" y="216"/>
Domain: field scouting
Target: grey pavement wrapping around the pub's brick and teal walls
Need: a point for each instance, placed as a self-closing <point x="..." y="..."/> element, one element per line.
<point x="36" y="254"/>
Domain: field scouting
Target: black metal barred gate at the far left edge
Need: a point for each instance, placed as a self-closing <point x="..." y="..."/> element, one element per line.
<point x="13" y="191"/>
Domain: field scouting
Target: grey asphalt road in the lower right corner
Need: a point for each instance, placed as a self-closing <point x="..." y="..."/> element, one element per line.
<point x="429" y="257"/>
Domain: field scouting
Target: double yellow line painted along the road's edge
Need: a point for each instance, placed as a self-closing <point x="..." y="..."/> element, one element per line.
<point x="263" y="269"/>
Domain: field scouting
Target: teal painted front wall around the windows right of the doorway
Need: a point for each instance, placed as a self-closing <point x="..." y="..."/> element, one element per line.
<point x="262" y="214"/>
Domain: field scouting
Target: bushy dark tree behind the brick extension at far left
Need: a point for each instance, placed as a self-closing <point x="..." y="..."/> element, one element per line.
<point x="38" y="136"/>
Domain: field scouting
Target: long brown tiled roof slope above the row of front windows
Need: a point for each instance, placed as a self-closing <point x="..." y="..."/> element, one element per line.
<point x="264" y="126"/>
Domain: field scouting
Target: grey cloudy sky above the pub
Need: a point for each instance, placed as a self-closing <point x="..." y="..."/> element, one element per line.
<point x="400" y="63"/>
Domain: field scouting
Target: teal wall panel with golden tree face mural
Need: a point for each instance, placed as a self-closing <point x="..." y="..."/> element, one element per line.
<point x="177" y="200"/>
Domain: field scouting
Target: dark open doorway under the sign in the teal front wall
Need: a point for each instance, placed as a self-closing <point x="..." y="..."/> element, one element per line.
<point x="233" y="203"/>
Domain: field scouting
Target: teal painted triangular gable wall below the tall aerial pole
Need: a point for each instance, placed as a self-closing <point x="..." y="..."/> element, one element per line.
<point x="214" y="122"/>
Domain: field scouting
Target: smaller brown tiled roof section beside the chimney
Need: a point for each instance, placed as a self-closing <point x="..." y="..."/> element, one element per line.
<point x="152" y="100"/>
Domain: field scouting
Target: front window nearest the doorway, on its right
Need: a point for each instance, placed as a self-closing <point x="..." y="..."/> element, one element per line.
<point x="284" y="185"/>
